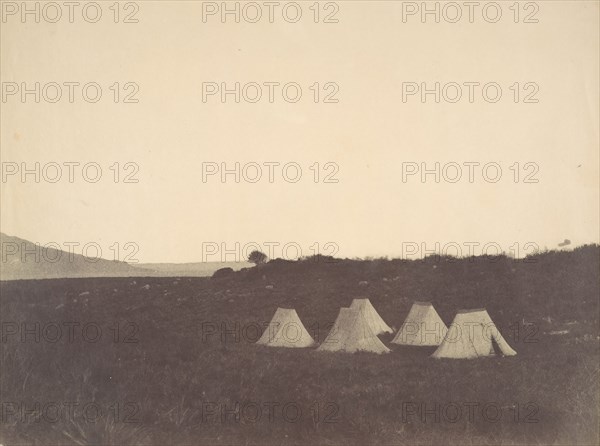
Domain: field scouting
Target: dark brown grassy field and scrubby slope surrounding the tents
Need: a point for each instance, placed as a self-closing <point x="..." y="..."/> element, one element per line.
<point x="165" y="361"/>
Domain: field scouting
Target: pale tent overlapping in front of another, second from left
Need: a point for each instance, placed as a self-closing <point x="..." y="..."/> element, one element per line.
<point x="351" y="333"/>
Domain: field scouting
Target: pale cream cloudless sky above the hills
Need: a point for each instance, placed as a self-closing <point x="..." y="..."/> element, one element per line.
<point x="353" y="154"/>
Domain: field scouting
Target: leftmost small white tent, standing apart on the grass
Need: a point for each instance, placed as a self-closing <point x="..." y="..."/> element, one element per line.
<point x="286" y="330"/>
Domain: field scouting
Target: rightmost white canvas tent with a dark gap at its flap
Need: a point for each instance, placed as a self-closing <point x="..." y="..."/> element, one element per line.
<point x="472" y="334"/>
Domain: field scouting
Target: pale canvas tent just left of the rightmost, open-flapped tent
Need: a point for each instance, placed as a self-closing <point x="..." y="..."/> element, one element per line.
<point x="423" y="326"/>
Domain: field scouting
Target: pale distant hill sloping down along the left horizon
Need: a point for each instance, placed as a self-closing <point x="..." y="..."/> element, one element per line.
<point x="22" y="259"/>
